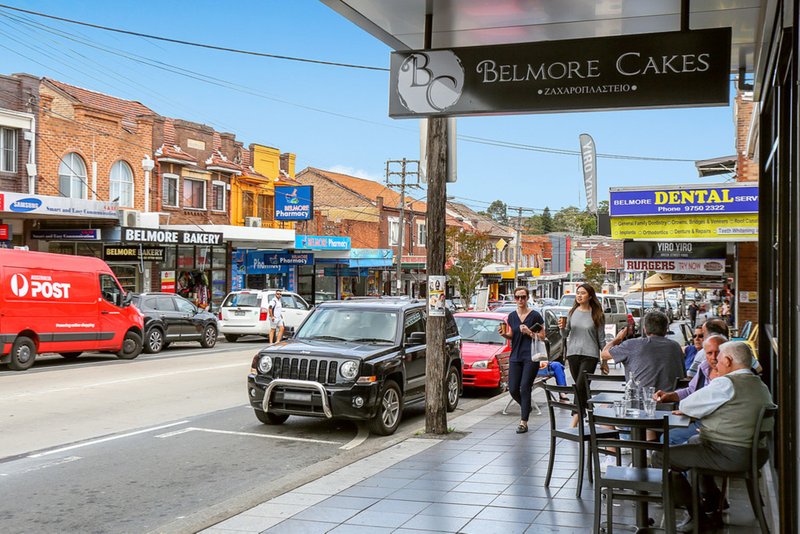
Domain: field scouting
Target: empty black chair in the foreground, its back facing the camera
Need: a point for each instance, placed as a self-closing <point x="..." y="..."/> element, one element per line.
<point x="639" y="484"/>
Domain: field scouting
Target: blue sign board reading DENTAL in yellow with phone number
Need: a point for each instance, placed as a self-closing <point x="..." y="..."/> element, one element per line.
<point x="684" y="200"/>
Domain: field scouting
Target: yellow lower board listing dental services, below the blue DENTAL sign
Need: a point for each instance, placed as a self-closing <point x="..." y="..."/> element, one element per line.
<point x="742" y="227"/>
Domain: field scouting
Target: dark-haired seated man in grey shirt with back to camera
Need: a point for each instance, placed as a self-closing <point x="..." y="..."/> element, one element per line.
<point x="654" y="361"/>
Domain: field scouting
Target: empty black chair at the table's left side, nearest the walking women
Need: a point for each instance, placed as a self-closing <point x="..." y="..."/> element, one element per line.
<point x="579" y="434"/>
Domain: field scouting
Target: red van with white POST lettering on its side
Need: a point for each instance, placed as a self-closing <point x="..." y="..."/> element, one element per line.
<point x="64" y="304"/>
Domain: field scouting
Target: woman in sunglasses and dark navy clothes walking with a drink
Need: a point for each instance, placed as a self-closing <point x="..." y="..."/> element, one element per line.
<point x="521" y="367"/>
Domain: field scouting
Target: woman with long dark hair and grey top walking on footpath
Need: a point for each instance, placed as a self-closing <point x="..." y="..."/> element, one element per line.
<point x="584" y="331"/>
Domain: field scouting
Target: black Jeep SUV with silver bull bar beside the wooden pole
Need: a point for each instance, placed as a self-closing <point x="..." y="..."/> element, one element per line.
<point x="358" y="359"/>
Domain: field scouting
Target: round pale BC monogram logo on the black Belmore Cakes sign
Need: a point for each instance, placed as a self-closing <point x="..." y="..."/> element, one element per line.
<point x="430" y="82"/>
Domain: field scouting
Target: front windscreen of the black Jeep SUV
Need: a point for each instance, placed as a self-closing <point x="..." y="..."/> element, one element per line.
<point x="350" y="324"/>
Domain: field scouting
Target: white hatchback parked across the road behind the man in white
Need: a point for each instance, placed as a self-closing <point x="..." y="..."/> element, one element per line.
<point x="244" y="313"/>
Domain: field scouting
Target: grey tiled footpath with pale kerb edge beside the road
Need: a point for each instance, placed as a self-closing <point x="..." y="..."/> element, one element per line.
<point x="491" y="480"/>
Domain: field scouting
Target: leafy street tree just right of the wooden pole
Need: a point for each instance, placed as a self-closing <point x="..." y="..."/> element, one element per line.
<point x="469" y="253"/>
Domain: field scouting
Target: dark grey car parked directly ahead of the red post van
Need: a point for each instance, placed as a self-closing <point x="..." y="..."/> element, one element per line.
<point x="169" y="318"/>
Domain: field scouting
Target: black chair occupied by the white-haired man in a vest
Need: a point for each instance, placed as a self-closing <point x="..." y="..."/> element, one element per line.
<point x="758" y="458"/>
